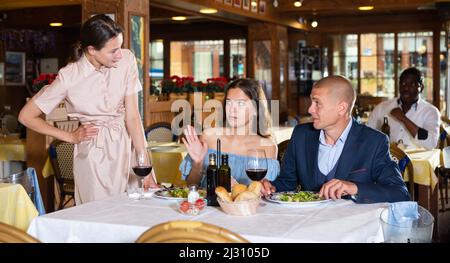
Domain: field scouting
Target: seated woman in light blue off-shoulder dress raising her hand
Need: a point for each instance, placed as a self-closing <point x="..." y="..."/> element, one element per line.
<point x="245" y="107"/>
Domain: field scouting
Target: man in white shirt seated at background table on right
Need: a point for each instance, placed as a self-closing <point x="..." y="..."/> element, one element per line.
<point x="411" y="119"/>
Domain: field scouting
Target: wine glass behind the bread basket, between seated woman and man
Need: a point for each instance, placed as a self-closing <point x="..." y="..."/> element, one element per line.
<point x="256" y="168"/>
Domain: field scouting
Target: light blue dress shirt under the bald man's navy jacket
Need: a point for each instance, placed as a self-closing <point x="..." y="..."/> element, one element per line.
<point x="329" y="154"/>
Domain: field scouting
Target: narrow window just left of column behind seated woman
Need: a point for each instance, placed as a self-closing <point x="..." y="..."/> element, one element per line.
<point x="238" y="63"/>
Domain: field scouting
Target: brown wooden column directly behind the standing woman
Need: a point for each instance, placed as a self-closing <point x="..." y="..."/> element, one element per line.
<point x="124" y="11"/>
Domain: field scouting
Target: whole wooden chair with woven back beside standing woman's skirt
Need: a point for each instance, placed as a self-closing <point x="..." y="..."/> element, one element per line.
<point x="61" y="157"/>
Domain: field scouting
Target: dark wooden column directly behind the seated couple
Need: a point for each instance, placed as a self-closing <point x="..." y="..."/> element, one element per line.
<point x="278" y="55"/>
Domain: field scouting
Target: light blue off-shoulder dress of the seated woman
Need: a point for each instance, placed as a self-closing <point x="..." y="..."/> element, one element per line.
<point x="237" y="165"/>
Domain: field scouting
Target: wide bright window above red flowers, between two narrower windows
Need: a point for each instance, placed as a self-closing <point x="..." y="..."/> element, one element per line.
<point x="200" y="59"/>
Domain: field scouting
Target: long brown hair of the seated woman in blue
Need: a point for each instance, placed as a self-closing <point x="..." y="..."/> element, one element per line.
<point x="253" y="90"/>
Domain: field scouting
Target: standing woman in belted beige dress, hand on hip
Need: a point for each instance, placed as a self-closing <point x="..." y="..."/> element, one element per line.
<point x="100" y="88"/>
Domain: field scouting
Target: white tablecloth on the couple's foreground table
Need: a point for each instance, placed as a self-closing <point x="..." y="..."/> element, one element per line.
<point x="120" y="219"/>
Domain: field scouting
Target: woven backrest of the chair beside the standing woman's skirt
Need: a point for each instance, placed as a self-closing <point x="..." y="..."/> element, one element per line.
<point x="61" y="156"/>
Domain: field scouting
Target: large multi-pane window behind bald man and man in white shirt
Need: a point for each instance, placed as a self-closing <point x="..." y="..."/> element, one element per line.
<point x="376" y="56"/>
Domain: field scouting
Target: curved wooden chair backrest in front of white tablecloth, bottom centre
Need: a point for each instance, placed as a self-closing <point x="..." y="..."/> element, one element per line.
<point x="189" y="232"/>
